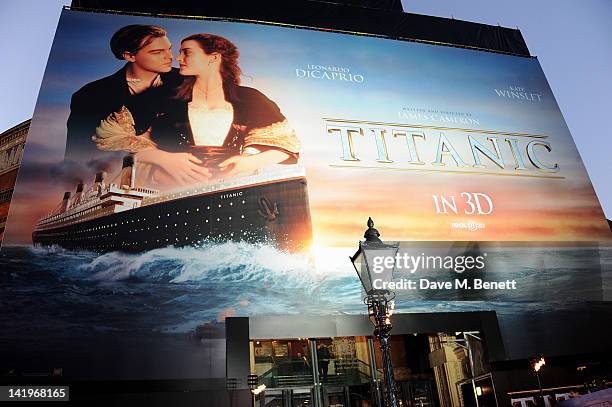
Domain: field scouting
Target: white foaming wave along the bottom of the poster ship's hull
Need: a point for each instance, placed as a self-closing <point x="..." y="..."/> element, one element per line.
<point x="225" y="262"/>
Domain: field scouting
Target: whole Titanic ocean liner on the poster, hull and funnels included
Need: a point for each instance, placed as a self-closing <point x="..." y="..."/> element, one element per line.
<point x="263" y="208"/>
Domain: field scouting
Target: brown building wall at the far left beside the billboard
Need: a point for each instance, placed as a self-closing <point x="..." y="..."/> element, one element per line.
<point x="12" y="142"/>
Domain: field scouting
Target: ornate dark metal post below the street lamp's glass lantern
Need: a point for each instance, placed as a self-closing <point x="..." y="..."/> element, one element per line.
<point x="382" y="327"/>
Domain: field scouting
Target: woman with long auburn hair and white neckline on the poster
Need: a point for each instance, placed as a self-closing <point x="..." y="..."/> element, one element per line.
<point x="225" y="129"/>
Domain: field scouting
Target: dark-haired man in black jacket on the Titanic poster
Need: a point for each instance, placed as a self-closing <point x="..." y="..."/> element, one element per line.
<point x="140" y="86"/>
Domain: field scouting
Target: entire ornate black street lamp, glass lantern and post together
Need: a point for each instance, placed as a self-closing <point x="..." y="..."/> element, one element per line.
<point x="369" y="264"/>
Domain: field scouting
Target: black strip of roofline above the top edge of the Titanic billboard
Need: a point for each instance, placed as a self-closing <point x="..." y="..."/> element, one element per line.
<point x="332" y="16"/>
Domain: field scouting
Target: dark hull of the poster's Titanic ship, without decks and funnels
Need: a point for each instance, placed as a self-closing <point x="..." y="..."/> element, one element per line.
<point x="275" y="213"/>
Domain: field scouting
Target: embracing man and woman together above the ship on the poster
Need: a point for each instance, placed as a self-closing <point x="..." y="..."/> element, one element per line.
<point x="186" y="125"/>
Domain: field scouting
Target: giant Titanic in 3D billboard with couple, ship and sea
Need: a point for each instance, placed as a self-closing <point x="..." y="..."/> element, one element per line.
<point x="179" y="171"/>
